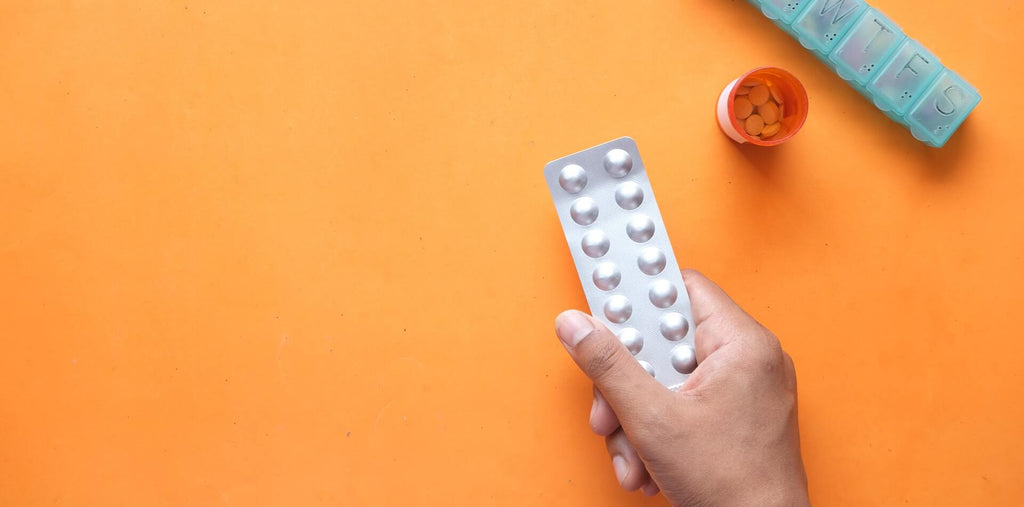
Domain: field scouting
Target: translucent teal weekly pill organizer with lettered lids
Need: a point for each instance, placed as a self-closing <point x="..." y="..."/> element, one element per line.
<point x="872" y="54"/>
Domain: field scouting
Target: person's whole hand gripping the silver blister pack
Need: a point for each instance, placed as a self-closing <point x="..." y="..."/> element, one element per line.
<point x="729" y="437"/>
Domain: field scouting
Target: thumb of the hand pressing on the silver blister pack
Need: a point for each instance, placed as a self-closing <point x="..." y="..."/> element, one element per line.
<point x="629" y="389"/>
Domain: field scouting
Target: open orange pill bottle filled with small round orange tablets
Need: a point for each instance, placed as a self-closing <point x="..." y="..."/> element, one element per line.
<point x="786" y="104"/>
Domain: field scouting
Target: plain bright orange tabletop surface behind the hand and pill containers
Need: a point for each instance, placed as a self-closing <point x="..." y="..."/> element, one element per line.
<point x="297" y="252"/>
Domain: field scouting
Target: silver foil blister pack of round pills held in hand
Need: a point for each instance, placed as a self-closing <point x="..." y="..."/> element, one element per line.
<point x="623" y="256"/>
